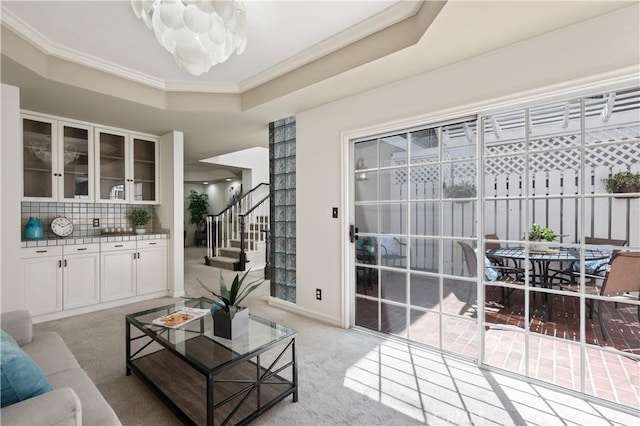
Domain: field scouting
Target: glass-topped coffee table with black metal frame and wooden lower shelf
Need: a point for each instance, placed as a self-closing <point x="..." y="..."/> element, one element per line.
<point x="208" y="379"/>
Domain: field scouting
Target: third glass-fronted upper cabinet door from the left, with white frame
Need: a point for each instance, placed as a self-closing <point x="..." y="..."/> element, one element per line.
<point x="111" y="165"/>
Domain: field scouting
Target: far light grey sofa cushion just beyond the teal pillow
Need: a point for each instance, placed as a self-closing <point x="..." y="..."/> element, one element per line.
<point x="50" y="352"/>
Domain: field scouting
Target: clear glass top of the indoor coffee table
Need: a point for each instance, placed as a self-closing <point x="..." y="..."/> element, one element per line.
<point x="196" y="342"/>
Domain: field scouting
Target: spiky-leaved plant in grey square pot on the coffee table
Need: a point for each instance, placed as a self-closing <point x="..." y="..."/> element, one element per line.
<point x="231" y="320"/>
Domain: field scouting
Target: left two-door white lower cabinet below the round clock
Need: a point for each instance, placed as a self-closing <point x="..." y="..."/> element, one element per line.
<point x="60" y="277"/>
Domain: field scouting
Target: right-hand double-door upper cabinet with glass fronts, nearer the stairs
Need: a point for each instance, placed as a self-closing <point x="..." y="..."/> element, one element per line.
<point x="127" y="167"/>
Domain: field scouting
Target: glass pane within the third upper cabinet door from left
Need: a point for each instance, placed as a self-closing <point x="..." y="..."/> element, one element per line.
<point x="112" y="166"/>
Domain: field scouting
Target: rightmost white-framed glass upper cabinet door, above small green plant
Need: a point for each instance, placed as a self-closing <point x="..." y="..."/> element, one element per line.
<point x="145" y="170"/>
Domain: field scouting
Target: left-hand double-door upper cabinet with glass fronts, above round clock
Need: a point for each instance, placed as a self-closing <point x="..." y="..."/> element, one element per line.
<point x="57" y="160"/>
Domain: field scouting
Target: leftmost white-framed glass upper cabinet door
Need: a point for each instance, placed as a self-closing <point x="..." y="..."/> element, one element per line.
<point x="39" y="178"/>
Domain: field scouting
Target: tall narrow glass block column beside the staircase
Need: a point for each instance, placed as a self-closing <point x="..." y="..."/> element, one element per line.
<point x="282" y="171"/>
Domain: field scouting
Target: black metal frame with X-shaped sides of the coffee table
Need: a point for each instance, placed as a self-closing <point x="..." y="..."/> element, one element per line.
<point x="252" y="386"/>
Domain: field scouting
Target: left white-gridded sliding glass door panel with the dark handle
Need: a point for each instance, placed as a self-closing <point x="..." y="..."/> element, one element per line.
<point x="414" y="206"/>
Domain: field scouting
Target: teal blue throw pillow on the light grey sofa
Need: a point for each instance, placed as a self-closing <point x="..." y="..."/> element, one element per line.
<point x="21" y="378"/>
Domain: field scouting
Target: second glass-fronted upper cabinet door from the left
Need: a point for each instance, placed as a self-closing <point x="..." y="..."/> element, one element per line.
<point x="75" y="160"/>
